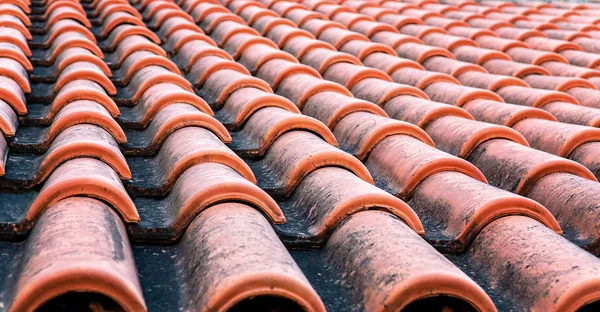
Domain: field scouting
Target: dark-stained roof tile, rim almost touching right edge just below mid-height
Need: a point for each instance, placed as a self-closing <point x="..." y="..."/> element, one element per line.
<point x="514" y="167"/>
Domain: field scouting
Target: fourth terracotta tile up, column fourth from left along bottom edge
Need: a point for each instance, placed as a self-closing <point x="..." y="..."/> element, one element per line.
<point x="359" y="132"/>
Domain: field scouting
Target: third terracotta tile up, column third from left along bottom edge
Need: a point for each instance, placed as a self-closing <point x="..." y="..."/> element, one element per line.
<point x="294" y="155"/>
